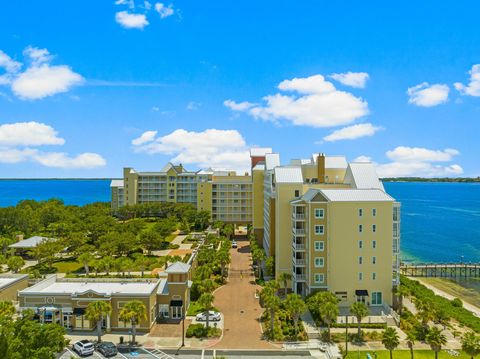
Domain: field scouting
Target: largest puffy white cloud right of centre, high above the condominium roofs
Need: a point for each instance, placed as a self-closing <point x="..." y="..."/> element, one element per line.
<point x="317" y="103"/>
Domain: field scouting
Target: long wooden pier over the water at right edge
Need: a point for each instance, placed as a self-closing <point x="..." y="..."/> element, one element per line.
<point x="447" y="270"/>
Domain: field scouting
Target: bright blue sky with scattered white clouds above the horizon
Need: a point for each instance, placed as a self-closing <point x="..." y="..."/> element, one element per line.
<point x="201" y="82"/>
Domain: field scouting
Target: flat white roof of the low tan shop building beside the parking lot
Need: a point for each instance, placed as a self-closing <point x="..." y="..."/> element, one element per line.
<point x="104" y="287"/>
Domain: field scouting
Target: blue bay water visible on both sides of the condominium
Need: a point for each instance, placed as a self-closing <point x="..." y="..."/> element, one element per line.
<point x="440" y="221"/>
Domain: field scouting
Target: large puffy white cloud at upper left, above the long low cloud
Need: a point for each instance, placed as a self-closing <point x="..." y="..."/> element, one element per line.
<point x="45" y="80"/>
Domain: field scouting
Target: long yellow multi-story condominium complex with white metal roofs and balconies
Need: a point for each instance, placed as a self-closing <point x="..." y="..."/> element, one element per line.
<point x="327" y="222"/>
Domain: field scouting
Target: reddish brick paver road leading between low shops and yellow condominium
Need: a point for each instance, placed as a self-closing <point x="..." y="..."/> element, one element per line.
<point x="236" y="300"/>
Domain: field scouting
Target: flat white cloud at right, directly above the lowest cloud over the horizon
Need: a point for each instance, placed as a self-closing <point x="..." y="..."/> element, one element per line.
<point x="416" y="154"/>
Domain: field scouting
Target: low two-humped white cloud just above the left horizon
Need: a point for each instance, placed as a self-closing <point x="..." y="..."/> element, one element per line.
<point x="63" y="160"/>
